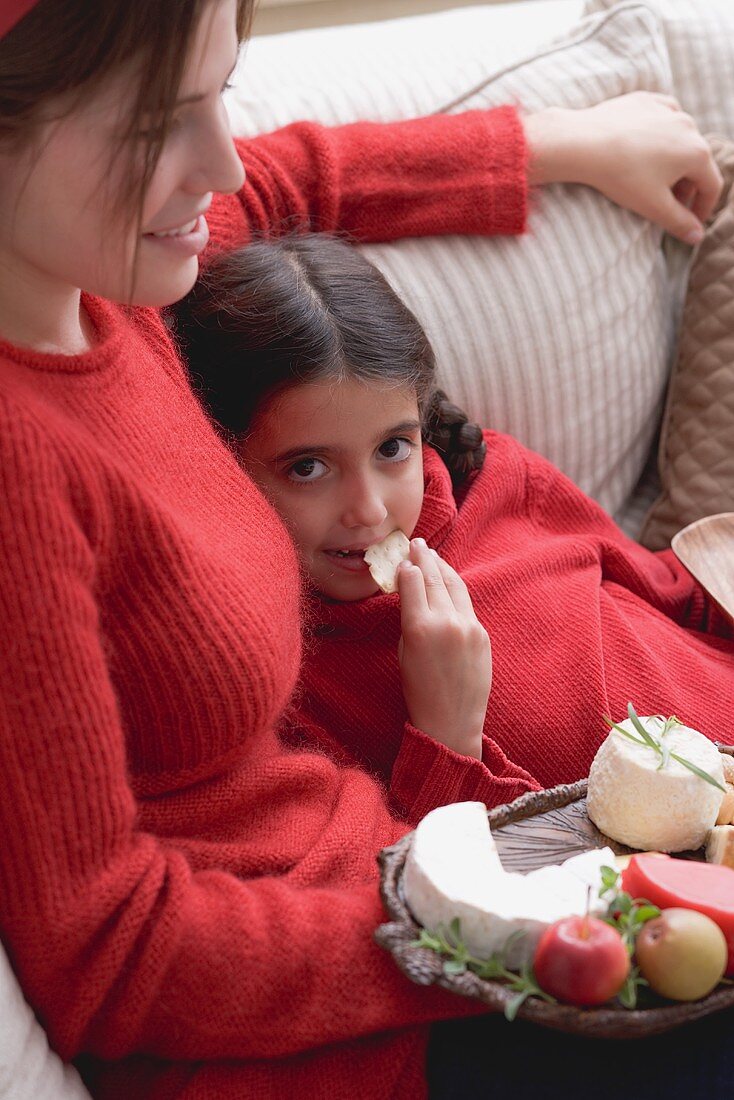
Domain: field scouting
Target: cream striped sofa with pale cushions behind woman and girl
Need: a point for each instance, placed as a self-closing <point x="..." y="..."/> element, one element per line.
<point x="564" y="338"/>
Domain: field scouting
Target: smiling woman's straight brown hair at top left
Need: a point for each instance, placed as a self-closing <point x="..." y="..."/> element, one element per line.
<point x="63" y="50"/>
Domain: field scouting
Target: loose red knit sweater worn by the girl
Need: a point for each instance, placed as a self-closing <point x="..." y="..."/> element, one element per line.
<point x="582" y="619"/>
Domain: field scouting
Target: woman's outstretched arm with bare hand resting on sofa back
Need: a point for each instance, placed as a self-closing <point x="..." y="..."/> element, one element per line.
<point x="469" y="173"/>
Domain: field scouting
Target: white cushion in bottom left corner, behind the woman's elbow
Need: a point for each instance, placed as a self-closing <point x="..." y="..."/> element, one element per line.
<point x="29" y="1070"/>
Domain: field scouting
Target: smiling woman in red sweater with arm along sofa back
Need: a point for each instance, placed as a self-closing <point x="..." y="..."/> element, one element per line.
<point x="185" y="904"/>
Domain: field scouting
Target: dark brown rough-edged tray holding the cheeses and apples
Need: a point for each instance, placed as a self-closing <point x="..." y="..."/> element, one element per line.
<point x="538" y="829"/>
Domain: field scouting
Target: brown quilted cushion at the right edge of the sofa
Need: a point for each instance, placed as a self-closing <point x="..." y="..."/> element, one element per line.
<point x="697" y="445"/>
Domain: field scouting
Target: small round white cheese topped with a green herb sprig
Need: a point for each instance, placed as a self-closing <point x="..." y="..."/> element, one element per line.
<point x="636" y="801"/>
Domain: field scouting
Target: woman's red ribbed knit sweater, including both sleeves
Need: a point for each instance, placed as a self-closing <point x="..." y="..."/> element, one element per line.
<point x="187" y="903"/>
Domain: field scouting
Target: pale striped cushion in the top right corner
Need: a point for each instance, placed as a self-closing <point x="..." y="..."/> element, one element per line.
<point x="700" y="39"/>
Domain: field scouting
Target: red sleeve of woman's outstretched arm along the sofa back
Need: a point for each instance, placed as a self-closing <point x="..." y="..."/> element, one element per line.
<point x="378" y="182"/>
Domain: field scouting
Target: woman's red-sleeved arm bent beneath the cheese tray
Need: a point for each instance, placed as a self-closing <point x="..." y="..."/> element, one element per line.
<point x="122" y="944"/>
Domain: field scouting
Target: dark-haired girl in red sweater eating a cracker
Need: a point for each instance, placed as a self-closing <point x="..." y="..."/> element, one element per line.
<point x="326" y="381"/>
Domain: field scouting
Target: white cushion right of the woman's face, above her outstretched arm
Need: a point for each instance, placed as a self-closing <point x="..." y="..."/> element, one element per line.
<point x="395" y="70"/>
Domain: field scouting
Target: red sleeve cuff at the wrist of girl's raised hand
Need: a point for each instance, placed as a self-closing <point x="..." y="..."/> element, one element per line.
<point x="428" y="775"/>
